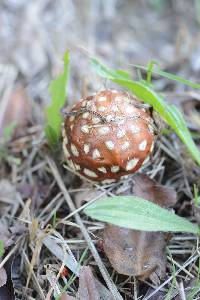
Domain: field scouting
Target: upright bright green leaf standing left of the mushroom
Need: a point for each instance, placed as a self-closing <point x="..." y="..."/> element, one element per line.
<point x="58" y="92"/>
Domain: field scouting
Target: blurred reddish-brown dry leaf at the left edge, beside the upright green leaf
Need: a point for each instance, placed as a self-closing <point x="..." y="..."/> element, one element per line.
<point x="17" y="110"/>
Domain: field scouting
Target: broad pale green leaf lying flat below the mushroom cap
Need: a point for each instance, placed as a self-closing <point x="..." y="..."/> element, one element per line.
<point x="137" y="213"/>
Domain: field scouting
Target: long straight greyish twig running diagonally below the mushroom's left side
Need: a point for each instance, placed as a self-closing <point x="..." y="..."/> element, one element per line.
<point x="97" y="258"/>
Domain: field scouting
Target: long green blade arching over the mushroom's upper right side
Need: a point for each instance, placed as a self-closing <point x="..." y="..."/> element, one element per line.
<point x="169" y="113"/>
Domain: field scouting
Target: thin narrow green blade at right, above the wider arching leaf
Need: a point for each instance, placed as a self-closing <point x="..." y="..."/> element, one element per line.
<point x="168" y="75"/>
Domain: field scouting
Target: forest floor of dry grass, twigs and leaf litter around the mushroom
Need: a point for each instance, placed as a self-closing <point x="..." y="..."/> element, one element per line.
<point x="46" y="236"/>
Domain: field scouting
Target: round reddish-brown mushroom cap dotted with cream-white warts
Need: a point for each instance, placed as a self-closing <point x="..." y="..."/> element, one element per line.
<point x="107" y="135"/>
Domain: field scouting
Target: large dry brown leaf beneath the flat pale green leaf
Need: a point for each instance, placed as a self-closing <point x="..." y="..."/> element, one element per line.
<point x="140" y="253"/>
